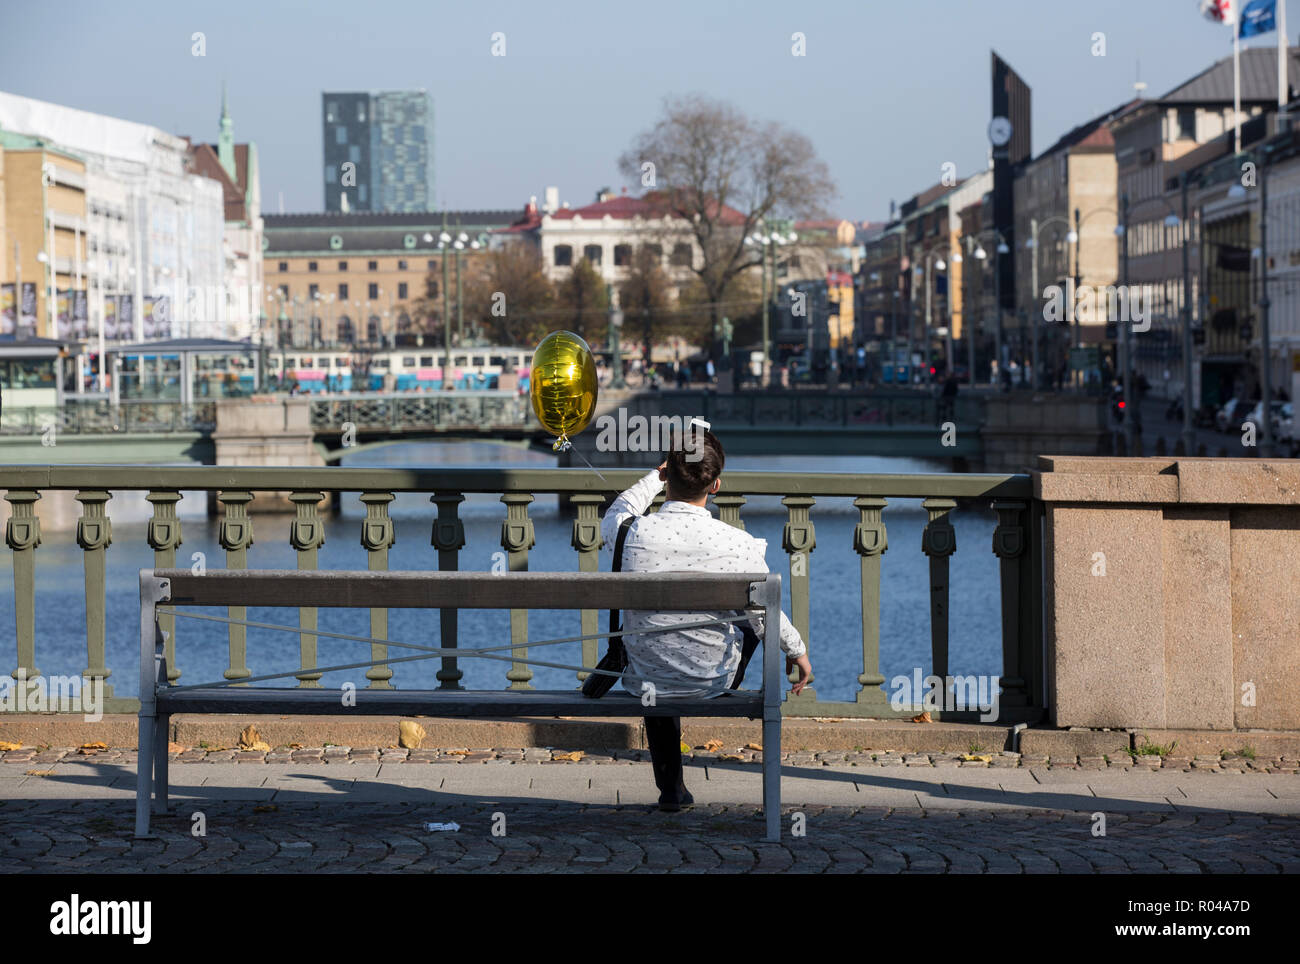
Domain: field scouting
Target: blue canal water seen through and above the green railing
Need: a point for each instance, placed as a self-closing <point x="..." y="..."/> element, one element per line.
<point x="837" y="616"/>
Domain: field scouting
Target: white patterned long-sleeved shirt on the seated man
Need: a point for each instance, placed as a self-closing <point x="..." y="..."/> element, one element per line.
<point x="682" y="537"/>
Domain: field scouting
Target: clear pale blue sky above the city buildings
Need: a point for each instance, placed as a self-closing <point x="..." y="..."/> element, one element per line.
<point x="889" y="90"/>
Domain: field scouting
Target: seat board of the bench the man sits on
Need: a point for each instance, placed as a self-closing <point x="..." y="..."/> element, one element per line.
<point x="249" y="700"/>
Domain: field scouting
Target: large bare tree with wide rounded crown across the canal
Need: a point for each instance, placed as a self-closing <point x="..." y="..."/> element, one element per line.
<point x="722" y="175"/>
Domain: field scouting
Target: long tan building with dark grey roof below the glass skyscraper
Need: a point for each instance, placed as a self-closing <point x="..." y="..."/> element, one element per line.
<point x="354" y="279"/>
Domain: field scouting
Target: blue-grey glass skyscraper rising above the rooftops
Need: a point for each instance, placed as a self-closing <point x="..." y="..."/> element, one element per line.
<point x="388" y="138"/>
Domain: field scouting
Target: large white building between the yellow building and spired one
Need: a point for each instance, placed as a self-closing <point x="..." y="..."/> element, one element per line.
<point x="155" y="229"/>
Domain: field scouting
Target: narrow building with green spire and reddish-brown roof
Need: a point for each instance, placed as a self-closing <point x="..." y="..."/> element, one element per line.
<point x="237" y="310"/>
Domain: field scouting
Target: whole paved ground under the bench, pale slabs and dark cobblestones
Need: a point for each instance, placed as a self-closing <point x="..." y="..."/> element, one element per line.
<point x="335" y="810"/>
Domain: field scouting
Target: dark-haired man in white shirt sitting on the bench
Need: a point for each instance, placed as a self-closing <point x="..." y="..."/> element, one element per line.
<point x="684" y="536"/>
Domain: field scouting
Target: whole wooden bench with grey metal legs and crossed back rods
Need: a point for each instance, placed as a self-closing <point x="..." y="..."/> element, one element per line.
<point x="692" y="593"/>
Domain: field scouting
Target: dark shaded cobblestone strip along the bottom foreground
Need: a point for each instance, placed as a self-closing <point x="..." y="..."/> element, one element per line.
<point x="330" y="839"/>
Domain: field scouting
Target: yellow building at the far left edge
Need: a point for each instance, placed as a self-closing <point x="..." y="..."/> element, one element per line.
<point x="42" y="228"/>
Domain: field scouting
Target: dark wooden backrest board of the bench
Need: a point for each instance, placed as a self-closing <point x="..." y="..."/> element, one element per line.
<point x="434" y="590"/>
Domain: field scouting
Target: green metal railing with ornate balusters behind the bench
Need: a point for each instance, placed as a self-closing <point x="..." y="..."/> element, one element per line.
<point x="1017" y="541"/>
